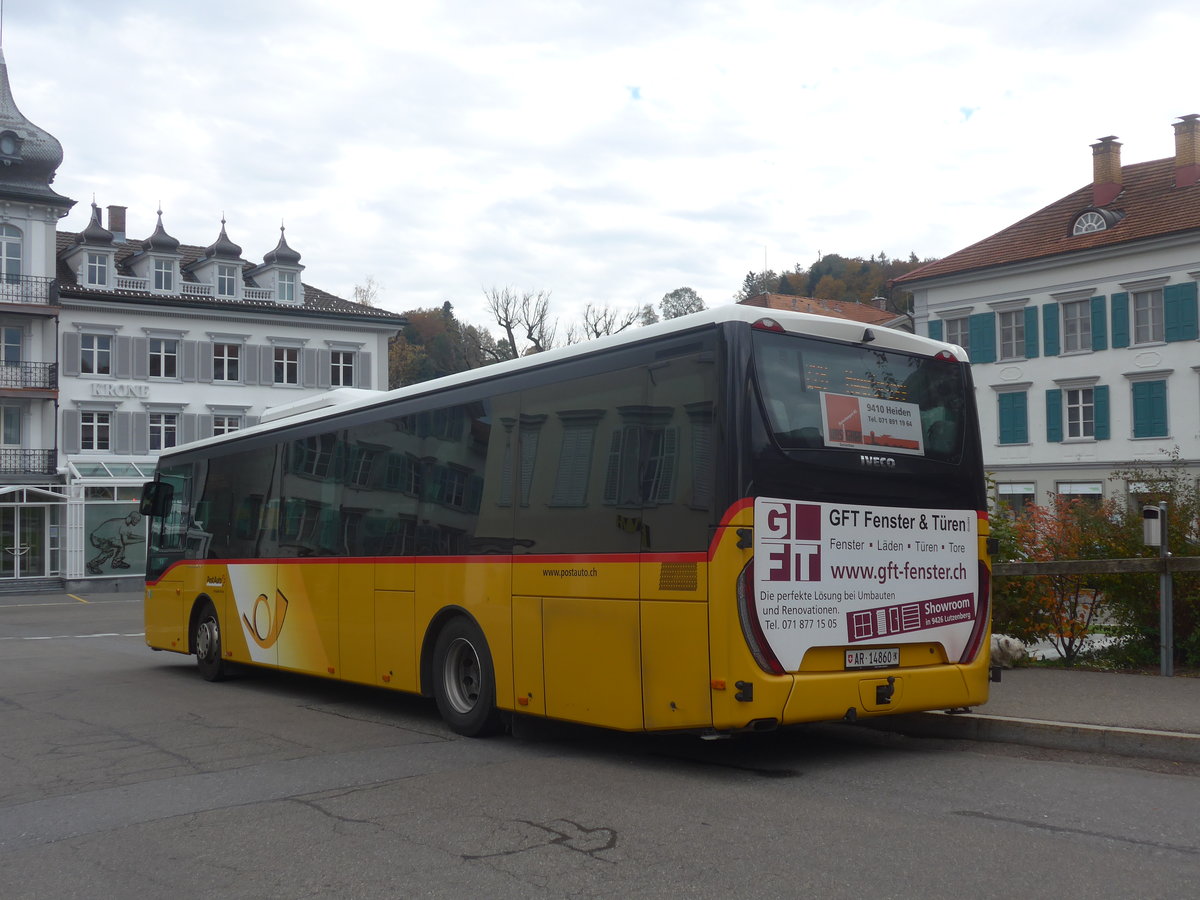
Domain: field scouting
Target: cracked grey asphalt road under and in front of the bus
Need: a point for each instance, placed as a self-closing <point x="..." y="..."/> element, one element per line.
<point x="125" y="776"/>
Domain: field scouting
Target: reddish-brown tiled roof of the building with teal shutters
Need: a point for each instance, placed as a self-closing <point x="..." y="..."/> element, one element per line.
<point x="1151" y="205"/>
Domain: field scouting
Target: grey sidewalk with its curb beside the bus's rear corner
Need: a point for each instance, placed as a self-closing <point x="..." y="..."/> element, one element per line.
<point x="1066" y="710"/>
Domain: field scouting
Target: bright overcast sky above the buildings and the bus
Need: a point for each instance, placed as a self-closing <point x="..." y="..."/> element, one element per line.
<point x="607" y="152"/>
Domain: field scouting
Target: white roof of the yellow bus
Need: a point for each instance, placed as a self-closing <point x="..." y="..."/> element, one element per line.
<point x="332" y="405"/>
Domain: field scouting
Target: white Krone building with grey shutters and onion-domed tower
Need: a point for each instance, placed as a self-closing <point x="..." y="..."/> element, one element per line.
<point x="115" y="349"/>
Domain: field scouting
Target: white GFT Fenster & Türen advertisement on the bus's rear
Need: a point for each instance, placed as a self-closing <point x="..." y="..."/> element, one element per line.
<point x="832" y="575"/>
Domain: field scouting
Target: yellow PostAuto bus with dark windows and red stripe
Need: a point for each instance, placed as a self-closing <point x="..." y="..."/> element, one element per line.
<point x="727" y="523"/>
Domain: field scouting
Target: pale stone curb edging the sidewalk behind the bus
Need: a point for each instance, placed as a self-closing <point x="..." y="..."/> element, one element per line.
<point x="1172" y="746"/>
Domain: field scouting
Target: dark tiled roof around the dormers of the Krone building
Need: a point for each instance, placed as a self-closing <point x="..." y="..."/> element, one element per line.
<point x="315" y="299"/>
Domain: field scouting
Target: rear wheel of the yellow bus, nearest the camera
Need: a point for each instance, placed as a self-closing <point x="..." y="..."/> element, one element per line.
<point x="465" y="681"/>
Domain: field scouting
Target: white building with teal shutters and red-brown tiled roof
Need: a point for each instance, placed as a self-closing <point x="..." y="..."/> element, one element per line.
<point x="1082" y="323"/>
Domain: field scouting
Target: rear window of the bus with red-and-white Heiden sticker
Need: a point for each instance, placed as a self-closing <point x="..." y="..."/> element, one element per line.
<point x="820" y="394"/>
